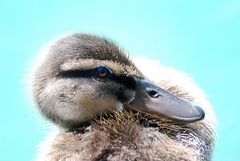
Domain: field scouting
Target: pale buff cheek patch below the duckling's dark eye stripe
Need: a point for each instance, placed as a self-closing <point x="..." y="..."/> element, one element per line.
<point x="64" y="99"/>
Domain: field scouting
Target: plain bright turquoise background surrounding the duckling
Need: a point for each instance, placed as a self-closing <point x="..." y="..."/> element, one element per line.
<point x="199" y="37"/>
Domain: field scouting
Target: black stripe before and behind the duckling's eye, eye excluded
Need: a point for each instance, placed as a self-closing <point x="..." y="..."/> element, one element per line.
<point x="128" y="82"/>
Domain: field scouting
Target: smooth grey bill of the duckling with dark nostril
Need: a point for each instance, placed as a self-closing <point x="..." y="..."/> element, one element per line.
<point x="152" y="99"/>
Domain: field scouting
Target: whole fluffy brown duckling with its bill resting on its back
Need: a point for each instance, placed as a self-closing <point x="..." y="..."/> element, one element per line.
<point x="109" y="110"/>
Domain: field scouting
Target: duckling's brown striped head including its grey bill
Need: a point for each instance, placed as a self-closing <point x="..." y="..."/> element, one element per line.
<point x="82" y="76"/>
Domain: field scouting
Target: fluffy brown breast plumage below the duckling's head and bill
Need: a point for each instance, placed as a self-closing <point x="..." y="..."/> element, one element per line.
<point x="130" y="136"/>
